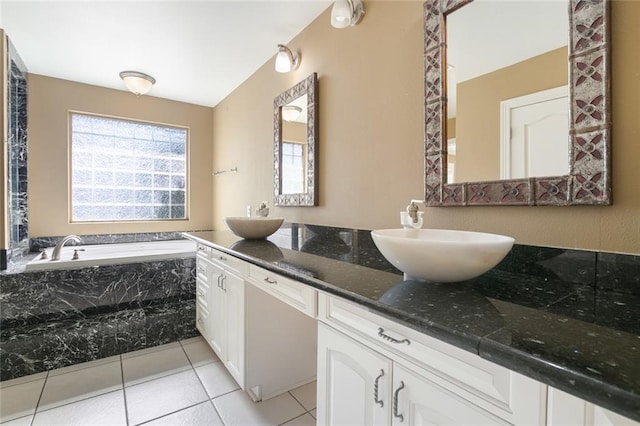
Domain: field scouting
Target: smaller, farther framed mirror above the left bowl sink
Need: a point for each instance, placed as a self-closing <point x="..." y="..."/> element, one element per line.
<point x="295" y="135"/>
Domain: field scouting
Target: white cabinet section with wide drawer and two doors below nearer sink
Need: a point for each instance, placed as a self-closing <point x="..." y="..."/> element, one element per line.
<point x="374" y="371"/>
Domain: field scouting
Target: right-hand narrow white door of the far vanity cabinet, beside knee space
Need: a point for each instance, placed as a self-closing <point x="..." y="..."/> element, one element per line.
<point x="233" y="288"/>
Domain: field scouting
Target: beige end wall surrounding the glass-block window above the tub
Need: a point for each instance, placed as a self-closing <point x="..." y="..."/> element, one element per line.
<point x="50" y="100"/>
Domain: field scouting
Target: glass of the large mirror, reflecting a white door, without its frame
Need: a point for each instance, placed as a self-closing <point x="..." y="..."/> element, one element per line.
<point x="498" y="51"/>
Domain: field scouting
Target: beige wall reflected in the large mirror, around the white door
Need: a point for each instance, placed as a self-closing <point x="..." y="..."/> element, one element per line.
<point x="478" y="111"/>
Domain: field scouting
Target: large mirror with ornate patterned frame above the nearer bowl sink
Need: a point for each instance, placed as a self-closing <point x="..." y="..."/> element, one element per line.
<point x="481" y="148"/>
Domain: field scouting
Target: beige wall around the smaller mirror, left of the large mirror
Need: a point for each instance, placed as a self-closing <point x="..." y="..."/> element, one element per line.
<point x="371" y="122"/>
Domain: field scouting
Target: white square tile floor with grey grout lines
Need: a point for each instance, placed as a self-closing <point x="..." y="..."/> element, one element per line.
<point x="181" y="383"/>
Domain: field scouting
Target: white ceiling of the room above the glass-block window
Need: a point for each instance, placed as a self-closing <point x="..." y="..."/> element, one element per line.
<point x="198" y="51"/>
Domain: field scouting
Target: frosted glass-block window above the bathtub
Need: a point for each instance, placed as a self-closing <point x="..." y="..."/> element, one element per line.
<point x="123" y="170"/>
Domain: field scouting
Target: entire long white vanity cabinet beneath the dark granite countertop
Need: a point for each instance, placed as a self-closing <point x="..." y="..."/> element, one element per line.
<point x="274" y="333"/>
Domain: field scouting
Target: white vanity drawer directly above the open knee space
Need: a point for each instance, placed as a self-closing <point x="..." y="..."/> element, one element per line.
<point x="293" y="293"/>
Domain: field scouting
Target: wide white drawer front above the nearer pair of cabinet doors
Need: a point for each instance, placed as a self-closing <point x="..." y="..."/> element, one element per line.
<point x="484" y="383"/>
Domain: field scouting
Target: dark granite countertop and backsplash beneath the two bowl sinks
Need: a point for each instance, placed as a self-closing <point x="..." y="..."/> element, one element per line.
<point x="564" y="317"/>
